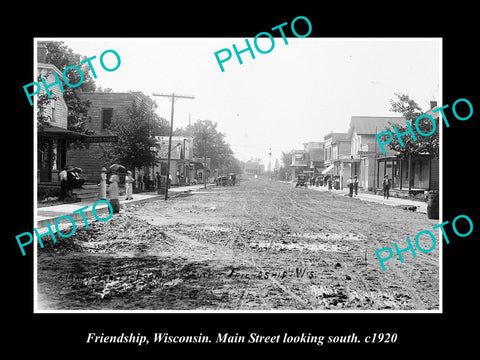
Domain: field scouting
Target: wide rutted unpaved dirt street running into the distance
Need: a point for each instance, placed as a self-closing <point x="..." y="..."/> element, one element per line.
<point x="261" y="245"/>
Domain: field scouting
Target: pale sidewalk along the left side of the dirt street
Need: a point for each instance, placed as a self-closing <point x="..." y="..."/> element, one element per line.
<point x="50" y="214"/>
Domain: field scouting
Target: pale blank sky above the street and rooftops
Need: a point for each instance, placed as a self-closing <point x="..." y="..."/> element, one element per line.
<point x="296" y="93"/>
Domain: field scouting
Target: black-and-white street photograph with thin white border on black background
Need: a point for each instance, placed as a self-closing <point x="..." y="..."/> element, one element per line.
<point x="269" y="174"/>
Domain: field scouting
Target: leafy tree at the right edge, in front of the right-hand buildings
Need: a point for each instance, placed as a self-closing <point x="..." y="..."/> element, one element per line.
<point x="424" y="145"/>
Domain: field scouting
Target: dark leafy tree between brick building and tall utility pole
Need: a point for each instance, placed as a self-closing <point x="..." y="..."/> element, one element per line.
<point x="135" y="146"/>
